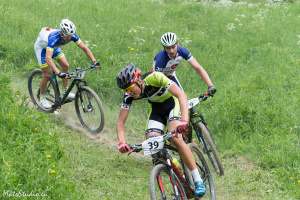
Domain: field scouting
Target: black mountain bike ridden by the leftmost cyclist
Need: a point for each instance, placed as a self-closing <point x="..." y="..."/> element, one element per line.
<point x="88" y="105"/>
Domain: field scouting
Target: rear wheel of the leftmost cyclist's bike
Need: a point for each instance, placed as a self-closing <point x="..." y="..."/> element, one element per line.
<point x="33" y="84"/>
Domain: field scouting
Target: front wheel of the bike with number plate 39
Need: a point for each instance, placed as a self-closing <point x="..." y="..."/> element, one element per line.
<point x="164" y="186"/>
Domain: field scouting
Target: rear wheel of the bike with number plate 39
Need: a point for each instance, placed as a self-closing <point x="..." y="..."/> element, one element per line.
<point x="204" y="172"/>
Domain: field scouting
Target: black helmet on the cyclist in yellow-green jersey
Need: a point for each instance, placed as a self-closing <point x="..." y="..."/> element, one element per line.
<point x="128" y="75"/>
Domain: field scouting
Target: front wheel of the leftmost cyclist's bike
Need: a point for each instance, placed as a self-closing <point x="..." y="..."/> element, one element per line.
<point x="89" y="109"/>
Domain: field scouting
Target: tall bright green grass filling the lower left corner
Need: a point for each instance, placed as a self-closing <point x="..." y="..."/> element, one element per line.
<point x="31" y="157"/>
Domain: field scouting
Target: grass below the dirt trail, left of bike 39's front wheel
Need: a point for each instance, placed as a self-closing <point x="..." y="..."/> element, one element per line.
<point x="39" y="156"/>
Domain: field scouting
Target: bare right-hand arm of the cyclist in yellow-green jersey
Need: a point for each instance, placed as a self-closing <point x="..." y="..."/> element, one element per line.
<point x="177" y="92"/>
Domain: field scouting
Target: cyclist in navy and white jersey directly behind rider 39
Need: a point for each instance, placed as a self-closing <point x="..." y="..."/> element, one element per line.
<point x="169" y="58"/>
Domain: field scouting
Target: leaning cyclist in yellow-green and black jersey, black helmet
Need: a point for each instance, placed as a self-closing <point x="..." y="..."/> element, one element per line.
<point x="169" y="108"/>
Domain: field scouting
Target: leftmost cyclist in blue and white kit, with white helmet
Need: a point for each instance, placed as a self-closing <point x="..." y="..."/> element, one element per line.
<point x="47" y="47"/>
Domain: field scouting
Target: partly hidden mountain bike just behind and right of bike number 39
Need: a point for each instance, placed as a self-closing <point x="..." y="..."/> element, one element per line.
<point x="203" y="134"/>
